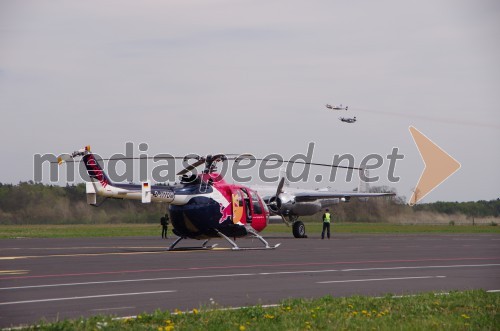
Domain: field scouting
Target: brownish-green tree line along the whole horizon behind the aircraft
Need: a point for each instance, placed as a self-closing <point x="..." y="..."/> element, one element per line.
<point x="35" y="203"/>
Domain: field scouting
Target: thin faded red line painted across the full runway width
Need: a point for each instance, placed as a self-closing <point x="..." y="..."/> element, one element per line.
<point x="247" y="266"/>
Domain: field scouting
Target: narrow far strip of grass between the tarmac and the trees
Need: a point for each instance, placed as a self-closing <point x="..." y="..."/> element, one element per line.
<point x="125" y="230"/>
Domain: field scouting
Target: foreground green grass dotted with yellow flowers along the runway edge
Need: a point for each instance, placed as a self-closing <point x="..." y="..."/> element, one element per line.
<point x="470" y="310"/>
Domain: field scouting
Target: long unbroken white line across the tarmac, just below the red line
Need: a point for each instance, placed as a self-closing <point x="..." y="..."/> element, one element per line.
<point x="241" y="275"/>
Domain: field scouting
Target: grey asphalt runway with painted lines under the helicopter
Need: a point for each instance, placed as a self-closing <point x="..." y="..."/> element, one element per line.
<point x="54" y="279"/>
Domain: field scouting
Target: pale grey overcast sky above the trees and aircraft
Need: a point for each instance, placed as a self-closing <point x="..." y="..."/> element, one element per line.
<point x="254" y="76"/>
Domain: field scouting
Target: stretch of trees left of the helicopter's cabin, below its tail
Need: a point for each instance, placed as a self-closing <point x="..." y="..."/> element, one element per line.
<point x="34" y="203"/>
